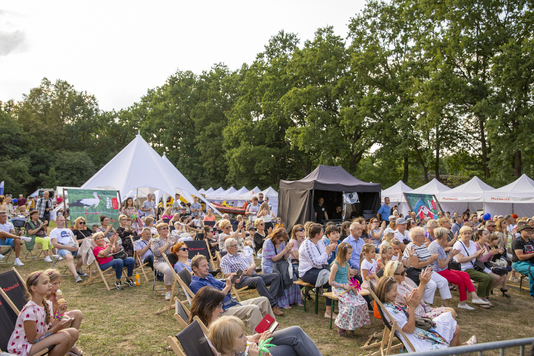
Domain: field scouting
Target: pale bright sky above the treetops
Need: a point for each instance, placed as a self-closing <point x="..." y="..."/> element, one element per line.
<point x="117" y="50"/>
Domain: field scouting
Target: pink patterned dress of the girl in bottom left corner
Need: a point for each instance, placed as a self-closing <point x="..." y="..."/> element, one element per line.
<point x="18" y="344"/>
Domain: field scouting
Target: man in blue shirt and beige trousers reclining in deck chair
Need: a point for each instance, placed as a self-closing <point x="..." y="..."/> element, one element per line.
<point x="251" y="311"/>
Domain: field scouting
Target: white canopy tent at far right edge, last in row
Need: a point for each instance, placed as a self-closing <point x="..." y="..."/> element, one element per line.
<point x="516" y="197"/>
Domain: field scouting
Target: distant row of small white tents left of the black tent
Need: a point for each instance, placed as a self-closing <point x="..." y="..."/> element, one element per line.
<point x="238" y="197"/>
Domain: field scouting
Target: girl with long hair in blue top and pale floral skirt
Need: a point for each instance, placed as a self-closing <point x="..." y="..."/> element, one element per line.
<point x="353" y="312"/>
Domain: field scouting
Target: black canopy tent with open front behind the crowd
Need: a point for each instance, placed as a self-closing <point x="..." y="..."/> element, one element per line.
<point x="297" y="199"/>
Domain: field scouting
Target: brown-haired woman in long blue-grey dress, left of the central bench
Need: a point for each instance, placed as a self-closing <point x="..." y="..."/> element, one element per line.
<point x="275" y="258"/>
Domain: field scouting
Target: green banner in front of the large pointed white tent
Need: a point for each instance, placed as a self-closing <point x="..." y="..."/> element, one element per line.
<point x="91" y="203"/>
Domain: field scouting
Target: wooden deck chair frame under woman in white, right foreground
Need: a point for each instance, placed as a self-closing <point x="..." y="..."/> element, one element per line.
<point x="386" y="346"/>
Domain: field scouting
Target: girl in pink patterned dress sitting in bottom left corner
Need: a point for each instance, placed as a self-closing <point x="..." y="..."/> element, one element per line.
<point x="35" y="330"/>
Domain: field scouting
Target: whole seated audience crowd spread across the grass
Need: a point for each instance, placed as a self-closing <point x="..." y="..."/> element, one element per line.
<point x="403" y="261"/>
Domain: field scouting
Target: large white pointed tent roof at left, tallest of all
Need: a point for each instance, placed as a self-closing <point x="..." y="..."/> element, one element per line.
<point x="124" y="171"/>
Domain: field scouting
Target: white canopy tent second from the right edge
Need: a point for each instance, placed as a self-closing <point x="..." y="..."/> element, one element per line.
<point x="469" y="195"/>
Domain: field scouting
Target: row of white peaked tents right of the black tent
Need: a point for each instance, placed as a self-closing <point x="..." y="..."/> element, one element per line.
<point x="516" y="197"/>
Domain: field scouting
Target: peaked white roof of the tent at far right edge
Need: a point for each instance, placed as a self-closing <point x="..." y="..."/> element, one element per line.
<point x="519" y="191"/>
